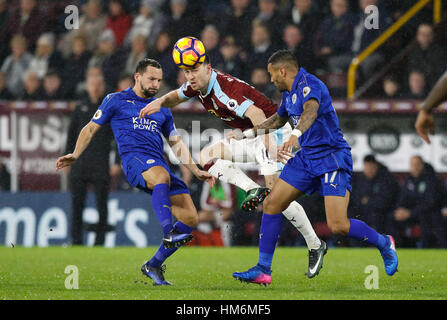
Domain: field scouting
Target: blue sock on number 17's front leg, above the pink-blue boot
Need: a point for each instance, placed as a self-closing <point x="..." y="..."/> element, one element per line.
<point x="268" y="237"/>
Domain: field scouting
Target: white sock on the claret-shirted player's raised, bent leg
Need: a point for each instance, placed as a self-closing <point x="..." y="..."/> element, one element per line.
<point x="228" y="172"/>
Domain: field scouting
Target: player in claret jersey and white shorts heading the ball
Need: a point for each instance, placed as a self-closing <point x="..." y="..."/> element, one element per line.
<point x="241" y="107"/>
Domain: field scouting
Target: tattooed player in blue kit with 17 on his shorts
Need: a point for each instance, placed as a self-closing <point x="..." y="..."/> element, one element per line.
<point x="323" y="164"/>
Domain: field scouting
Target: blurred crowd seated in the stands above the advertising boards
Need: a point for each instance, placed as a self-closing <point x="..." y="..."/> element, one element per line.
<point x="46" y="61"/>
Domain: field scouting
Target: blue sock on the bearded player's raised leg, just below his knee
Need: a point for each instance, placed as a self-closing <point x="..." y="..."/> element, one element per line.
<point x="162" y="206"/>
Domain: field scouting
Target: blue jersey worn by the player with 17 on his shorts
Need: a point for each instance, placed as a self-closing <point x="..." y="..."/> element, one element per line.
<point x="324" y="136"/>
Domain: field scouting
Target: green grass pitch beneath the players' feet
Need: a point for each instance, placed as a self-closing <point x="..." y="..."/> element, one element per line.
<point x="205" y="274"/>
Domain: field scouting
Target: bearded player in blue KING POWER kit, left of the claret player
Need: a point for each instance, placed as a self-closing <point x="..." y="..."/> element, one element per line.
<point x="140" y="146"/>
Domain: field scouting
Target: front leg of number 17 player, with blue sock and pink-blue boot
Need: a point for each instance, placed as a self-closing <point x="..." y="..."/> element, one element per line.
<point x="278" y="200"/>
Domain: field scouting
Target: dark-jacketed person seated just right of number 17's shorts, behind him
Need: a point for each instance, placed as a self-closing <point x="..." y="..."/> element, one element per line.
<point x="374" y="195"/>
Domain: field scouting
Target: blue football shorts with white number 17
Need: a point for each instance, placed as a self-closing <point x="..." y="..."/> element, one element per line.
<point x="329" y="175"/>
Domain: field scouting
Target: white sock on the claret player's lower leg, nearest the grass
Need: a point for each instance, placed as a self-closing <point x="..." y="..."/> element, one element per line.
<point x="297" y="216"/>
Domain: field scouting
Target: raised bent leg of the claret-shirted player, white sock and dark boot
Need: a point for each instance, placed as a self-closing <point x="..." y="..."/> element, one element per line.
<point x="218" y="159"/>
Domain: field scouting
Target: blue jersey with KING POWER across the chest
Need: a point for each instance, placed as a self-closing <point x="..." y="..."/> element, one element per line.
<point x="132" y="134"/>
